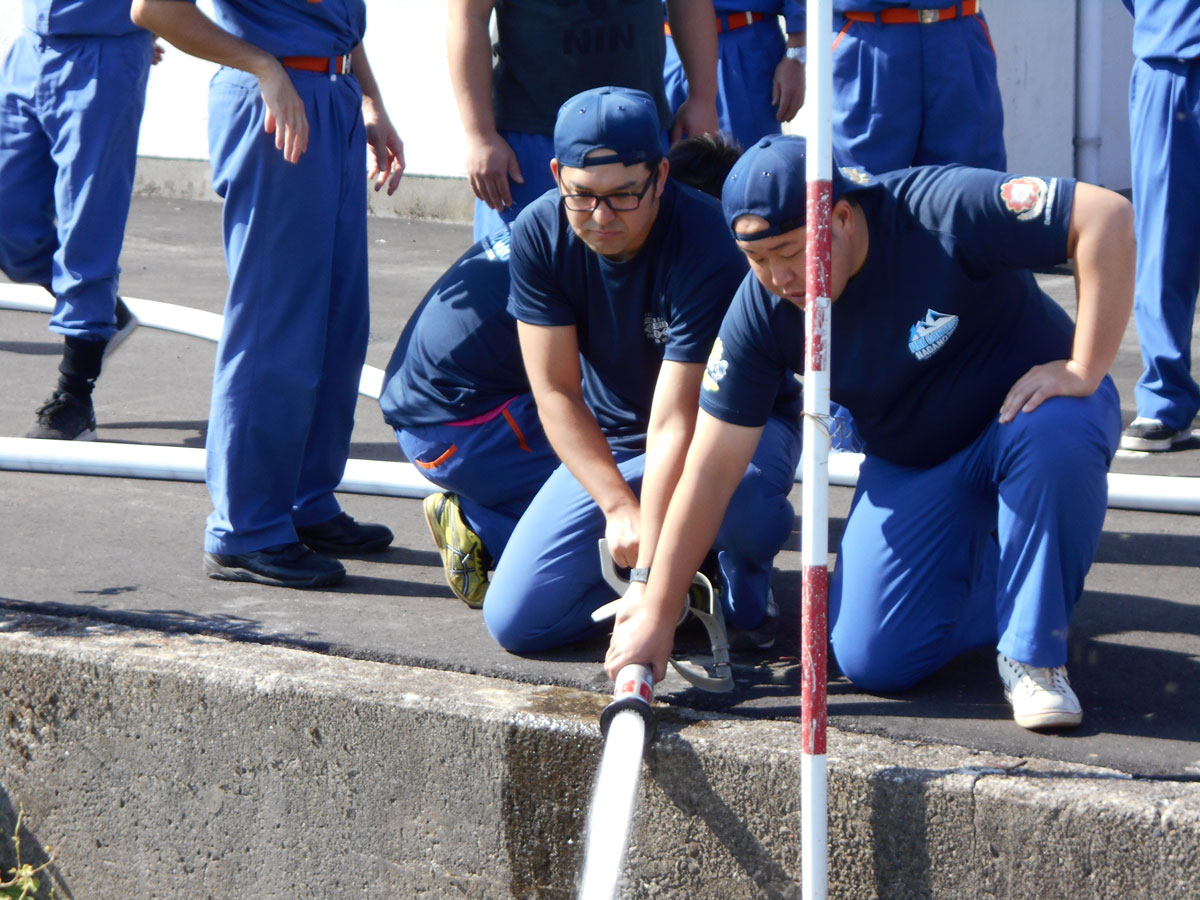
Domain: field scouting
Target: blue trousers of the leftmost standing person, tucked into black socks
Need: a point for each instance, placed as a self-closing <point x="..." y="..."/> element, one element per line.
<point x="70" y="112"/>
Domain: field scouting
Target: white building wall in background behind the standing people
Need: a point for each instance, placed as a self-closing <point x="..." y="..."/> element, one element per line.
<point x="406" y="43"/>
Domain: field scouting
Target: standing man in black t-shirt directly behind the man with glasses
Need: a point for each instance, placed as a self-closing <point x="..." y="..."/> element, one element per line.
<point x="548" y="51"/>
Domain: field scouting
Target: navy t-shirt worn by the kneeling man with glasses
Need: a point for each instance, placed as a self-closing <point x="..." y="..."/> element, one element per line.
<point x="664" y="304"/>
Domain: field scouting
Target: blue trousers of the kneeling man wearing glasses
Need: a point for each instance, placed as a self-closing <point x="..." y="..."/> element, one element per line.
<point x="549" y="580"/>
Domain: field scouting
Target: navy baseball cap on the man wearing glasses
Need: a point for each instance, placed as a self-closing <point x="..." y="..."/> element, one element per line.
<point x="619" y="119"/>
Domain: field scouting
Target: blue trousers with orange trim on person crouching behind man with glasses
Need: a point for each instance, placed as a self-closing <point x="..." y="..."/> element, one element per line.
<point x="495" y="467"/>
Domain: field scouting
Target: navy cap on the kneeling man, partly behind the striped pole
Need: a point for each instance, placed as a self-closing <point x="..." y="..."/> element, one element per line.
<point x="770" y="182"/>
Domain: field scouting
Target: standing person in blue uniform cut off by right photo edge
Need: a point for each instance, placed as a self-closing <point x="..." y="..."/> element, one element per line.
<point x="1165" y="131"/>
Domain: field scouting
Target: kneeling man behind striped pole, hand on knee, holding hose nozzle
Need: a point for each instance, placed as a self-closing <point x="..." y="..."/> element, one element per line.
<point x="988" y="416"/>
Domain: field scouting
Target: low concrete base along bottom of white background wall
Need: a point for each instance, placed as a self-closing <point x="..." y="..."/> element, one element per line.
<point x="441" y="200"/>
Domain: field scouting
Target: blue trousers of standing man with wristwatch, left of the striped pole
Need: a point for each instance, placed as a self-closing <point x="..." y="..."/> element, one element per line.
<point x="746" y="75"/>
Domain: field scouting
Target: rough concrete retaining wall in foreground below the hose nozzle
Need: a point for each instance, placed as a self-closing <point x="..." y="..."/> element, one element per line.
<point x="173" y="766"/>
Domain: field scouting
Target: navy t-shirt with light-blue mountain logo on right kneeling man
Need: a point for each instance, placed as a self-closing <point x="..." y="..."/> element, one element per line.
<point x="938" y="326"/>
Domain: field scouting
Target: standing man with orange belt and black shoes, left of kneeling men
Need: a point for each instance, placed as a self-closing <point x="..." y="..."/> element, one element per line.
<point x="291" y="118"/>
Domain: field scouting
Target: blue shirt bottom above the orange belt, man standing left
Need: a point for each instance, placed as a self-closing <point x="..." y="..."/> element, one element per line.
<point x="329" y="28"/>
